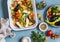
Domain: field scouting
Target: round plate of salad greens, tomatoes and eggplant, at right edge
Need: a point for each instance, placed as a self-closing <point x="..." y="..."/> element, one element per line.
<point x="53" y="16"/>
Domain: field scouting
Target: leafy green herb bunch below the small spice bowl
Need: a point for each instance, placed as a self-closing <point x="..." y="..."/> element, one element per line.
<point x="37" y="37"/>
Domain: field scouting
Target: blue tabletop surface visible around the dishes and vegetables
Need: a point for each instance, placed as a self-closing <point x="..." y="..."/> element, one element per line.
<point x="20" y="34"/>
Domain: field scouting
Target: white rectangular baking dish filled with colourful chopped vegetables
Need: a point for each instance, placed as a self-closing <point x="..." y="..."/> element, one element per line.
<point x="22" y="14"/>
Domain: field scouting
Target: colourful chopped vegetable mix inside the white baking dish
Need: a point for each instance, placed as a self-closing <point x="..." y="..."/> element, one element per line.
<point x="22" y="13"/>
